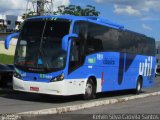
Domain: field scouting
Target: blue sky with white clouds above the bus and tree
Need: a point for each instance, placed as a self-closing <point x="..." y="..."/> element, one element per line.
<point x="142" y="16"/>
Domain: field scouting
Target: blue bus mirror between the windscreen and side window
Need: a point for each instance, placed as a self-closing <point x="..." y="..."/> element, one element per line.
<point x="65" y="40"/>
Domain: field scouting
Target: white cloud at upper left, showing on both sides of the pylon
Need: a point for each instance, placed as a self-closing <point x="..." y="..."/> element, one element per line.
<point x="18" y="7"/>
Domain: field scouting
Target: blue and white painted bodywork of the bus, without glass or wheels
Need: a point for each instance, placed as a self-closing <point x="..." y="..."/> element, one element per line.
<point x="110" y="70"/>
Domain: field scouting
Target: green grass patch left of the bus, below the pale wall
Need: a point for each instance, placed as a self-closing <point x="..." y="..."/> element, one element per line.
<point x="6" y="59"/>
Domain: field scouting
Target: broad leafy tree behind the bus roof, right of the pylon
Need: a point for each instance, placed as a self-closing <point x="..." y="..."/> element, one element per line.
<point x="77" y="10"/>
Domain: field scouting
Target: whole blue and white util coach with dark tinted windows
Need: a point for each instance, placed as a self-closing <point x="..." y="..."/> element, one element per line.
<point x="71" y="55"/>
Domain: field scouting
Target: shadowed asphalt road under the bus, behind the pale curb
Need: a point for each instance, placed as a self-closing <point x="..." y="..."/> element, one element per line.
<point x="15" y="102"/>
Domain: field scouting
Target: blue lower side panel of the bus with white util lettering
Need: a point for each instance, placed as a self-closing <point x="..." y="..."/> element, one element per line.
<point x="116" y="71"/>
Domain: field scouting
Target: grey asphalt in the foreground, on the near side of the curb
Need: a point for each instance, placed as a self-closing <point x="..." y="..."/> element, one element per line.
<point x="147" y="108"/>
